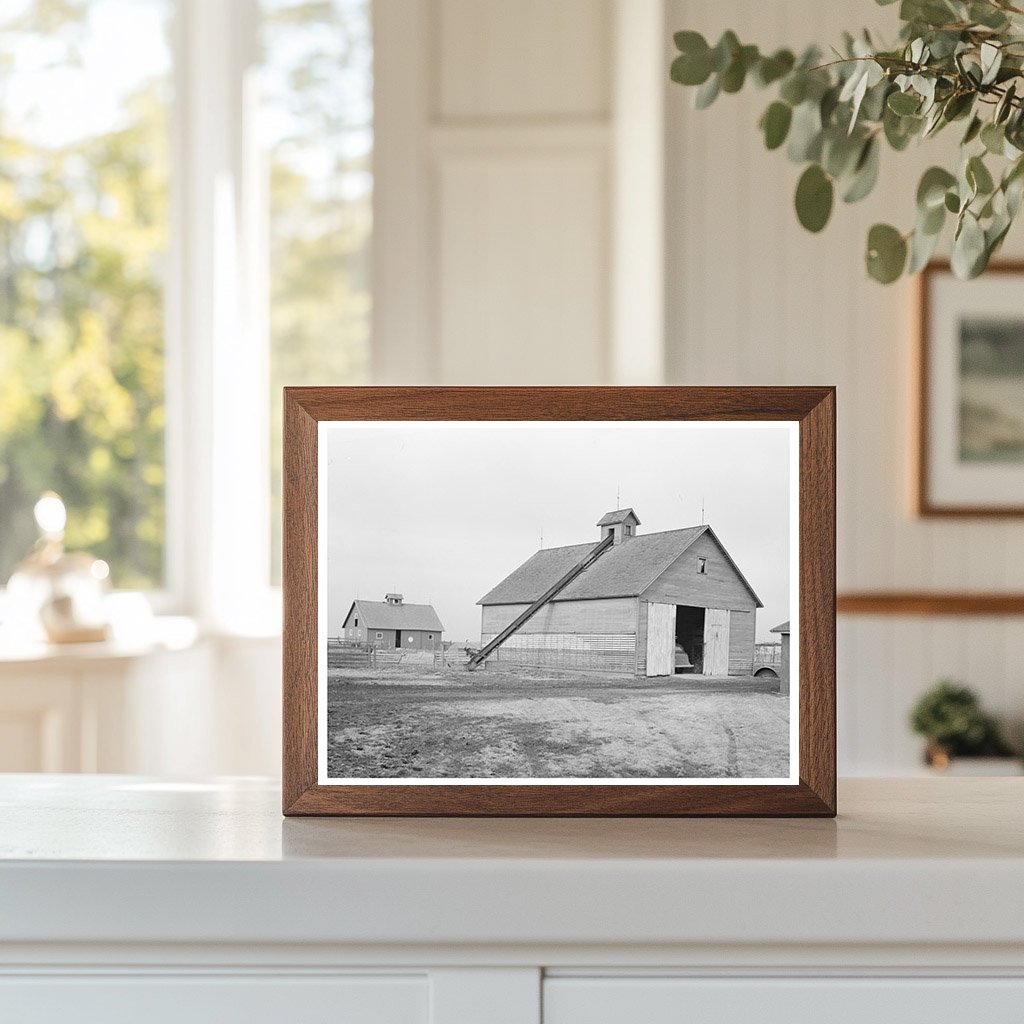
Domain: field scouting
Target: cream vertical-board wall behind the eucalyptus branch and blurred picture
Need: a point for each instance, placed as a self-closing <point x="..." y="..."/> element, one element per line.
<point x="754" y="300"/>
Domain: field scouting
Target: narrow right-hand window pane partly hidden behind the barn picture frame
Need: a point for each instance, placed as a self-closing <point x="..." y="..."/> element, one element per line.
<point x="318" y="127"/>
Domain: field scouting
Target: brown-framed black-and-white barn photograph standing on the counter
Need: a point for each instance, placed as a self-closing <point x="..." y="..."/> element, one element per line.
<point x="560" y="602"/>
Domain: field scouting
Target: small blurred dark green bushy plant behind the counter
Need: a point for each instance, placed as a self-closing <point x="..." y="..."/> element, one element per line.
<point x="951" y="718"/>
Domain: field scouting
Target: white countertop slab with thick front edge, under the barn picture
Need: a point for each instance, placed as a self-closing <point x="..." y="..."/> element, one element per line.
<point x="125" y="860"/>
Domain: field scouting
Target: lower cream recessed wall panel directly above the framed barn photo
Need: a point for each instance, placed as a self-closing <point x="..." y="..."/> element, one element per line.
<point x="522" y="291"/>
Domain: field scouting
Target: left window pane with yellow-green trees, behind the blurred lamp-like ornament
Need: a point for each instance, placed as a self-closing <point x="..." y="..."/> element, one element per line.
<point x="83" y="239"/>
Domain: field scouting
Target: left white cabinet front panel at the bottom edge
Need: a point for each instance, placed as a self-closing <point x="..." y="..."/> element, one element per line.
<point x="225" y="1000"/>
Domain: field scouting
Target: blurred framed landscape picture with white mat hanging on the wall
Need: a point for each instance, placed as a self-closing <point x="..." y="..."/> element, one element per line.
<point x="971" y="394"/>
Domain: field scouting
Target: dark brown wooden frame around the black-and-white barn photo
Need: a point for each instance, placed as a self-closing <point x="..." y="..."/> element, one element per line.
<point x="812" y="790"/>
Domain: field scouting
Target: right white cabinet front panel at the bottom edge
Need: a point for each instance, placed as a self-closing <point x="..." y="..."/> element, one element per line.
<point x="824" y="1001"/>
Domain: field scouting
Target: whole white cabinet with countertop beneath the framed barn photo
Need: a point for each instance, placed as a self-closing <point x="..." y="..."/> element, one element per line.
<point x="126" y="900"/>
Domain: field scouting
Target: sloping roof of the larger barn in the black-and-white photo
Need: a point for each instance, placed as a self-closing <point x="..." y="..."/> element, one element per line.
<point x="624" y="571"/>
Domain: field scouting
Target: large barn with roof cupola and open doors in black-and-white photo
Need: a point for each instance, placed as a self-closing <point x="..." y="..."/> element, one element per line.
<point x="641" y="605"/>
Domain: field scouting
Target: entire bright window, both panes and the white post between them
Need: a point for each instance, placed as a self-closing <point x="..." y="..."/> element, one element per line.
<point x="264" y="282"/>
